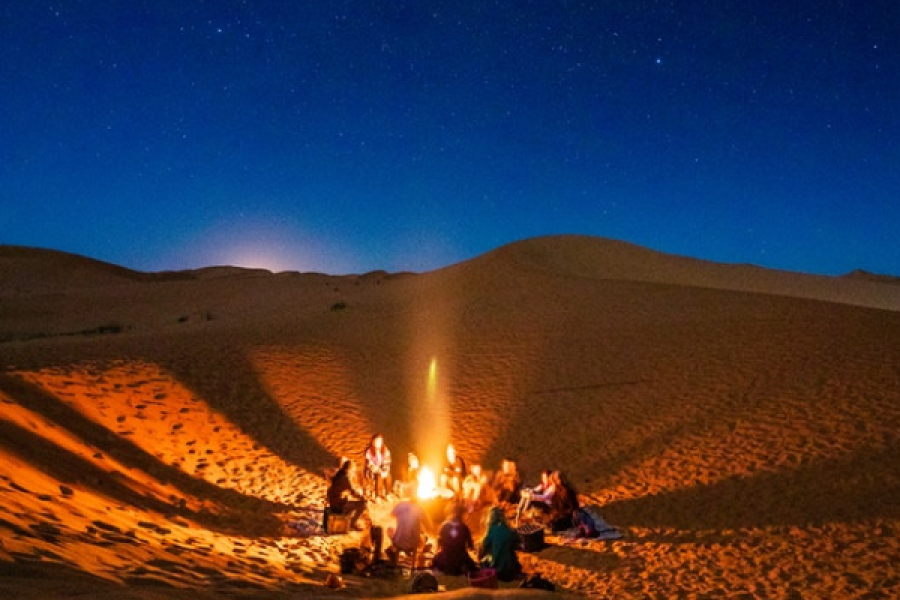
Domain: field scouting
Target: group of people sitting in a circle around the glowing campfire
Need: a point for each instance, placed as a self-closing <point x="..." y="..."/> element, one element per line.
<point x="465" y="491"/>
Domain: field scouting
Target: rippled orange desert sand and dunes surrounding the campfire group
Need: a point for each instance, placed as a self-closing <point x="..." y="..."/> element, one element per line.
<point x="166" y="435"/>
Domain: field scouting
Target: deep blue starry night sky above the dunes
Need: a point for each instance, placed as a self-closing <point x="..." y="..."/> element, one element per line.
<point x="317" y="135"/>
